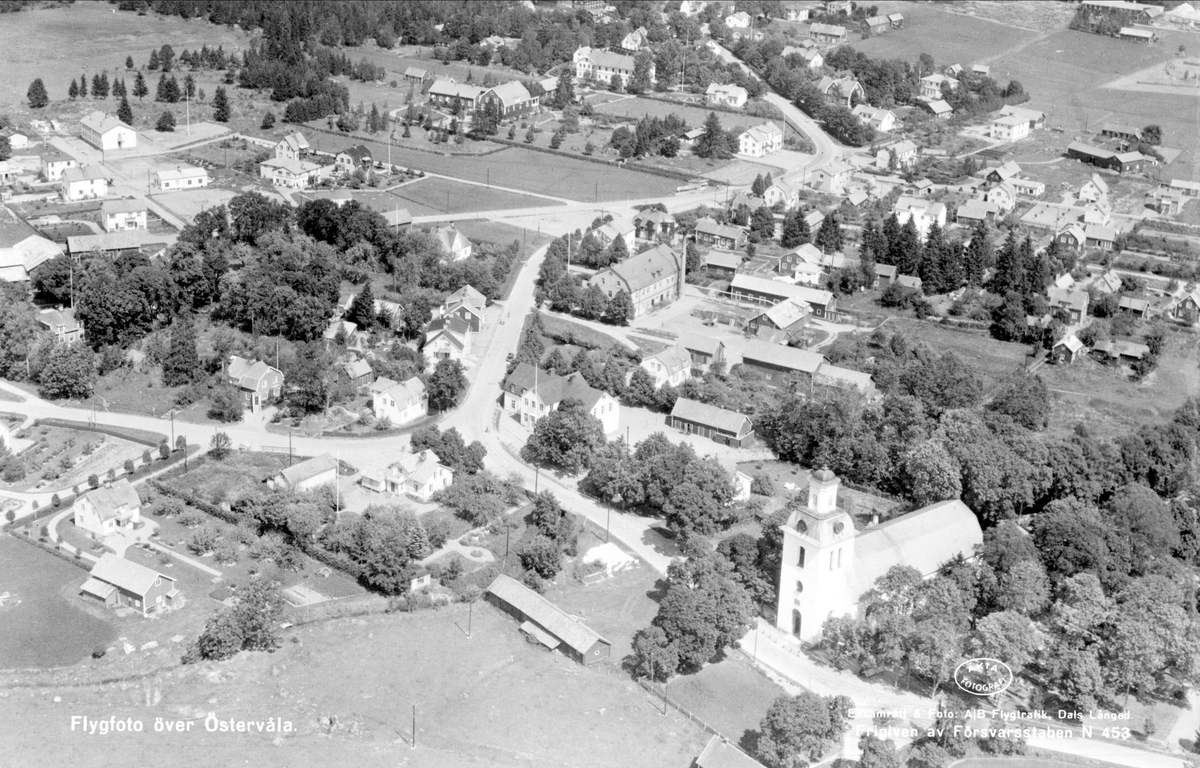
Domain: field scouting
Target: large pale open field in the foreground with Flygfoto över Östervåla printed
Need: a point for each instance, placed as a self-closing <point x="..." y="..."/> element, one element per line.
<point x="475" y="700"/>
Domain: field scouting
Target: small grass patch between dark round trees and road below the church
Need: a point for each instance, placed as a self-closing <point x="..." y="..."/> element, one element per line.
<point x="731" y="697"/>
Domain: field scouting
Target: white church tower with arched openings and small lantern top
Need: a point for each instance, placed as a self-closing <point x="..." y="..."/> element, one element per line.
<point x="819" y="559"/>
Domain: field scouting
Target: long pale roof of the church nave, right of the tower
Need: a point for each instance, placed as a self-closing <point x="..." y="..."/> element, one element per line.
<point x="923" y="539"/>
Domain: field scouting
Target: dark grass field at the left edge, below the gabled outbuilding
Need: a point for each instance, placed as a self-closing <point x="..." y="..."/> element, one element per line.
<point x="46" y="628"/>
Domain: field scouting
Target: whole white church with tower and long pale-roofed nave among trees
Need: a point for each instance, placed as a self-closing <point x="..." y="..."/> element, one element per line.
<point x="829" y="565"/>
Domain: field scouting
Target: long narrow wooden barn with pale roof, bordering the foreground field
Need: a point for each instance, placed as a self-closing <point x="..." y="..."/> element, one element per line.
<point x="547" y="623"/>
